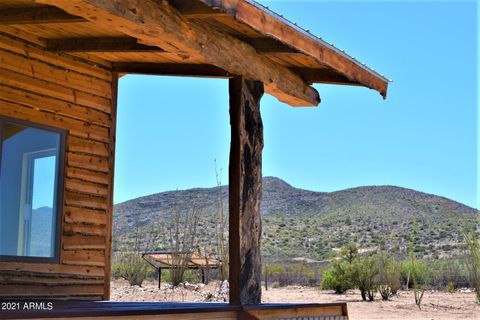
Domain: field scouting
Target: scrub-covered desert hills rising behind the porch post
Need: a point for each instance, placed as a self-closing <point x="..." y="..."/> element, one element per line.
<point x="314" y="225"/>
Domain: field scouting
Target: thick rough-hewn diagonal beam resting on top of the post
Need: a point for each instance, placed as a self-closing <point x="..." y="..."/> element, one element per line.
<point x="158" y="23"/>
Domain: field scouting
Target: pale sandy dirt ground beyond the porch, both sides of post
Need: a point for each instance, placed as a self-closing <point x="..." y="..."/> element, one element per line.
<point x="435" y="305"/>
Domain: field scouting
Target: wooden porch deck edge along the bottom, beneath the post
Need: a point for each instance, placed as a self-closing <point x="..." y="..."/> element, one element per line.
<point x="177" y="311"/>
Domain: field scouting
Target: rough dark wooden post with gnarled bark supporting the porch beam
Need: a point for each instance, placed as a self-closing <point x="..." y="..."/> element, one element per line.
<point x="245" y="191"/>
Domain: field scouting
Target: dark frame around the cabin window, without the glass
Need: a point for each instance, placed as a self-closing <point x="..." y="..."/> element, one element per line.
<point x="60" y="188"/>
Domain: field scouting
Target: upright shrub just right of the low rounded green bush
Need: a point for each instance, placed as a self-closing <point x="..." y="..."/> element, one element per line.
<point x="364" y="275"/>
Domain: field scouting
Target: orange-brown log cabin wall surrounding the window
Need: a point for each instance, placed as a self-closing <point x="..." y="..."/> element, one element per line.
<point x="74" y="94"/>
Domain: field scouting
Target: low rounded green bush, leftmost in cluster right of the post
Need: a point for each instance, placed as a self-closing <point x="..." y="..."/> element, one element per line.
<point x="338" y="277"/>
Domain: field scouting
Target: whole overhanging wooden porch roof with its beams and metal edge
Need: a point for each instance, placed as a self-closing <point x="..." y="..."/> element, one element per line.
<point x="209" y="38"/>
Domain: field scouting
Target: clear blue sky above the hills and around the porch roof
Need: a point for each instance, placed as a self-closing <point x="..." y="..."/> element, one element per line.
<point x="424" y="136"/>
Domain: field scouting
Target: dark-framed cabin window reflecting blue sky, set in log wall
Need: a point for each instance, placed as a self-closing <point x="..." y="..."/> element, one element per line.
<point x="31" y="181"/>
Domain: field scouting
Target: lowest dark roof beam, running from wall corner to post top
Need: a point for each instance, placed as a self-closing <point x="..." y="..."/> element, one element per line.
<point x="171" y="69"/>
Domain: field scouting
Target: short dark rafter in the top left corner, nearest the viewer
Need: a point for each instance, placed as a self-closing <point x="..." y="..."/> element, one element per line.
<point x="36" y="15"/>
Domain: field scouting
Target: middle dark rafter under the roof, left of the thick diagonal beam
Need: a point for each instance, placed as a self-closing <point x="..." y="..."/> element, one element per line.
<point x="109" y="44"/>
